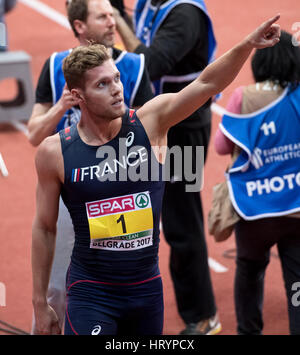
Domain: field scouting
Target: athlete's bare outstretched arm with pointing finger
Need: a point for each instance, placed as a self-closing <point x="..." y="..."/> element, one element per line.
<point x="166" y="110"/>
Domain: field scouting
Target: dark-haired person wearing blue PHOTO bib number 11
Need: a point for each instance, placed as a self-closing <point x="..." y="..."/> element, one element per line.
<point x="263" y="119"/>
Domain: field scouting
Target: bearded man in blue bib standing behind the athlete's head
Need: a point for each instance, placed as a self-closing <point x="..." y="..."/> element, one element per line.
<point x="55" y="109"/>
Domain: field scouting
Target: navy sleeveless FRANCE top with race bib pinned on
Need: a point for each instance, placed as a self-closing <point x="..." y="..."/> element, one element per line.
<point x="114" y="193"/>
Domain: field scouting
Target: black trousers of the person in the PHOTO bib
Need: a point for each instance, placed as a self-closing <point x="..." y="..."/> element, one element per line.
<point x="254" y="239"/>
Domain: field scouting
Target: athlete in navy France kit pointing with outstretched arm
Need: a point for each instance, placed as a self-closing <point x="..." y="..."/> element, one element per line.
<point x="113" y="284"/>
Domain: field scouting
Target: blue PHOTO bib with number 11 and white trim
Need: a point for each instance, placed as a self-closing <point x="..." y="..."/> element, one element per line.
<point x="264" y="181"/>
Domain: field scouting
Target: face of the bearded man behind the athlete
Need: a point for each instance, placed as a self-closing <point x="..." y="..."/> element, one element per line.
<point x="100" y="25"/>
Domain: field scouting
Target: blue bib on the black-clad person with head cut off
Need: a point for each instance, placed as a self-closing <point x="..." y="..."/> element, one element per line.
<point x="147" y="21"/>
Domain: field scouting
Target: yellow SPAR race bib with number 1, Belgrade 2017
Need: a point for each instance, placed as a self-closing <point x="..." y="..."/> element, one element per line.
<point x="121" y="223"/>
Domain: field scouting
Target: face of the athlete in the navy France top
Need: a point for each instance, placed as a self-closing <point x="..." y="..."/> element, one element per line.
<point x="103" y="92"/>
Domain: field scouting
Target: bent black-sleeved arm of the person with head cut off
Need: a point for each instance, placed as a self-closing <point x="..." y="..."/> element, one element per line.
<point x="179" y="32"/>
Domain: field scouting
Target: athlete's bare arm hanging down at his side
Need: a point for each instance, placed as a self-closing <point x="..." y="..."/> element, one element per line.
<point x="48" y="165"/>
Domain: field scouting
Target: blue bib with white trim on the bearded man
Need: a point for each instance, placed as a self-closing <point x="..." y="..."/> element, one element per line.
<point x="130" y="66"/>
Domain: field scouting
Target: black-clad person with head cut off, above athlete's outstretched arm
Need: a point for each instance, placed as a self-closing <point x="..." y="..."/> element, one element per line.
<point x="178" y="42"/>
